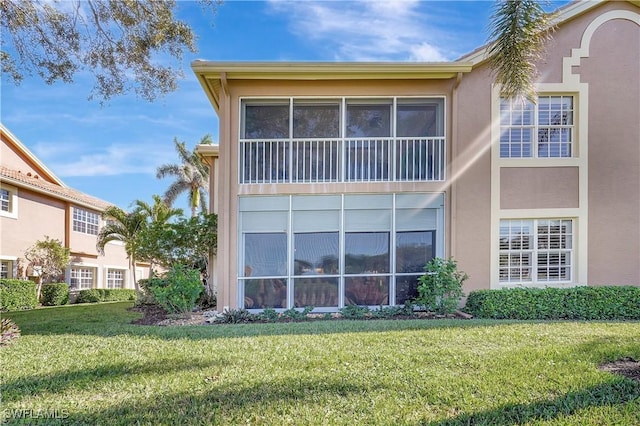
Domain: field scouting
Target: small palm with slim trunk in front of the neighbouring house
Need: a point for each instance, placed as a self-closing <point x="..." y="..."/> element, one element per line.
<point x="124" y="227"/>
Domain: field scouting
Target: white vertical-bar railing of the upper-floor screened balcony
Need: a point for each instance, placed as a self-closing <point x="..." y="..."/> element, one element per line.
<point x="342" y="160"/>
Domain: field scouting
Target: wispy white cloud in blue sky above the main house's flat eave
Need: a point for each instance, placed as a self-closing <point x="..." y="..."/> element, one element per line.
<point x="397" y="30"/>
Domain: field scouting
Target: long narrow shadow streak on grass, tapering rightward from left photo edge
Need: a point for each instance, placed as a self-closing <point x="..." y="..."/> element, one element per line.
<point x="88" y="377"/>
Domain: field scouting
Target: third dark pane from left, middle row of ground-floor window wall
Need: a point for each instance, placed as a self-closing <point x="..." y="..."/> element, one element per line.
<point x="366" y="252"/>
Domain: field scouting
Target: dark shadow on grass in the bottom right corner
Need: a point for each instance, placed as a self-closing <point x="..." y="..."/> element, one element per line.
<point x="617" y="392"/>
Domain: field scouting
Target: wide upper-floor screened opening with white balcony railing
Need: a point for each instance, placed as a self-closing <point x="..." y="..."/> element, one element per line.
<point x="345" y="140"/>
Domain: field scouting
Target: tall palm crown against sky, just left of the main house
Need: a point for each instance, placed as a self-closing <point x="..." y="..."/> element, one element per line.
<point x="192" y="176"/>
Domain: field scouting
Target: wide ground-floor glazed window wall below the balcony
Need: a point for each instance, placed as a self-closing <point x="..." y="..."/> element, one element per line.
<point x="329" y="251"/>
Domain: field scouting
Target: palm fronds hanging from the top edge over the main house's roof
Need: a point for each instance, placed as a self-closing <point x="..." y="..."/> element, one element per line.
<point x="519" y="32"/>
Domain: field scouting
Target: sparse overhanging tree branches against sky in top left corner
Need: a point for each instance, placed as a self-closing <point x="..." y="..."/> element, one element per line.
<point x="123" y="44"/>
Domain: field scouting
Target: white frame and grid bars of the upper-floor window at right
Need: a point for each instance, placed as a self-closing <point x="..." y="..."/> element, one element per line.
<point x="536" y="127"/>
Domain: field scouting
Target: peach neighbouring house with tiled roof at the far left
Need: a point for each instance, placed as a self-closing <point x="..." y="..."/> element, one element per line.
<point x="35" y="203"/>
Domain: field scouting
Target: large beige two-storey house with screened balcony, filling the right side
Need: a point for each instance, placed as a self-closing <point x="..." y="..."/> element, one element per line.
<point x="335" y="183"/>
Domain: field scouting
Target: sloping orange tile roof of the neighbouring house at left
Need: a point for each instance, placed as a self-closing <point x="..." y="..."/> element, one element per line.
<point x="33" y="181"/>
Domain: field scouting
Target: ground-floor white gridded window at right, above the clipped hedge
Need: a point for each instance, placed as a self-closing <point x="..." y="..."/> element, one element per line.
<point x="536" y="251"/>
